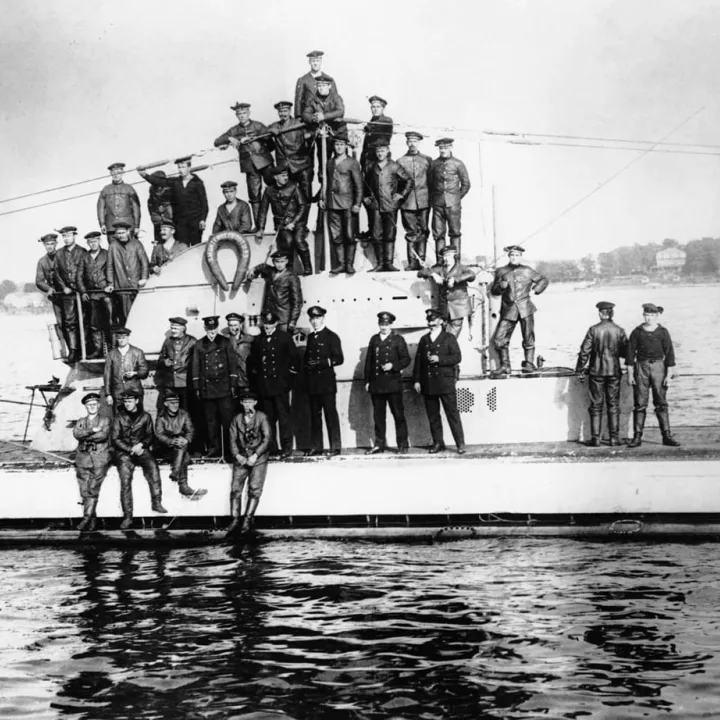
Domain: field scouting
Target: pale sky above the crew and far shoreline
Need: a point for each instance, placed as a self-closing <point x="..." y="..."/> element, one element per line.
<point x="89" y="83"/>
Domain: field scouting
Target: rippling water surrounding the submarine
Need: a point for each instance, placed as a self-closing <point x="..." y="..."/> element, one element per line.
<point x="308" y="629"/>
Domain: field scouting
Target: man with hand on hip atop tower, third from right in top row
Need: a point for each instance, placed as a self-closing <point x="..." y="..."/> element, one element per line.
<point x="386" y="188"/>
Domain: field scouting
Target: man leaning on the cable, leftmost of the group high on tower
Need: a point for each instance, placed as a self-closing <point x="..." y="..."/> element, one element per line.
<point x="254" y="154"/>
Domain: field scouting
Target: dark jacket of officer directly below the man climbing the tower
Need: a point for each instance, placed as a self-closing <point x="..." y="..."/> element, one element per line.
<point x="273" y="364"/>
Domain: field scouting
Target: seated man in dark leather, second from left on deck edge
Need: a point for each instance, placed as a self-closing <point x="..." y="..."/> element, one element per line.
<point x="132" y="437"/>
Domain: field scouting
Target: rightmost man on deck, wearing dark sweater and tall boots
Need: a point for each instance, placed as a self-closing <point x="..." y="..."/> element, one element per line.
<point x="650" y="363"/>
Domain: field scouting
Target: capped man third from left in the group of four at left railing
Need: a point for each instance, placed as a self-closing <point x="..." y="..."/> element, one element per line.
<point x="92" y="280"/>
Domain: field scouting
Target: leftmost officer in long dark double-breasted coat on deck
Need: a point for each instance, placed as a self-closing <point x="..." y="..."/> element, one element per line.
<point x="215" y="381"/>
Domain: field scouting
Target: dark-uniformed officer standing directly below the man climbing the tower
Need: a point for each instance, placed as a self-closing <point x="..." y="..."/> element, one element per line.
<point x="273" y="366"/>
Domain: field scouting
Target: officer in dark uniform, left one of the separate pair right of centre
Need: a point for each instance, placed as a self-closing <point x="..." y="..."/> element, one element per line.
<point x="387" y="356"/>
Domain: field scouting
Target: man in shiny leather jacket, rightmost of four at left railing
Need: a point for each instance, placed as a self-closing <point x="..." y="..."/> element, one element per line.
<point x="128" y="269"/>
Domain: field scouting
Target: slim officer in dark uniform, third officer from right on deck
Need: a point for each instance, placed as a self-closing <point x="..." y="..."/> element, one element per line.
<point x="322" y="354"/>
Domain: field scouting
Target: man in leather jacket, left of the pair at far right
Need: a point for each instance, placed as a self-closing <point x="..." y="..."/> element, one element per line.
<point x="604" y="345"/>
